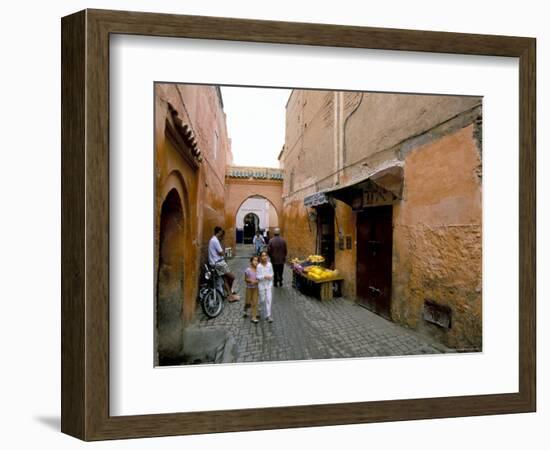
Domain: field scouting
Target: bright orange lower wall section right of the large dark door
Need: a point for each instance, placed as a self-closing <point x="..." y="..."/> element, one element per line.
<point x="437" y="251"/>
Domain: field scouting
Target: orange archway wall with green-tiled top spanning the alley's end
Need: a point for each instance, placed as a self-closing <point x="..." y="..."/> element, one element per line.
<point x="243" y="183"/>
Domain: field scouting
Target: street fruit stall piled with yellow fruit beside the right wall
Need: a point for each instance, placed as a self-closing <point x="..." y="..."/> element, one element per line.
<point x="311" y="278"/>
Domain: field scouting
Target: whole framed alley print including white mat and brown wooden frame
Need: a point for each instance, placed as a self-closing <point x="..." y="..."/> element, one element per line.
<point x="273" y="225"/>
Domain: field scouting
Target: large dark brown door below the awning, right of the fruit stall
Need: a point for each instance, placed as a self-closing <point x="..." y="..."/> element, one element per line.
<point x="374" y="259"/>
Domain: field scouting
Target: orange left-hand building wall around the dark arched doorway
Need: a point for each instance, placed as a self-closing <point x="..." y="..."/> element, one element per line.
<point x="202" y="190"/>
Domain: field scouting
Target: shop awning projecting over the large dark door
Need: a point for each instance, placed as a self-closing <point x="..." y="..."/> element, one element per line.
<point x="380" y="187"/>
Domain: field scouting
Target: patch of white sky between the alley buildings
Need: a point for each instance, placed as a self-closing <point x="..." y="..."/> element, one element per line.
<point x="255" y="123"/>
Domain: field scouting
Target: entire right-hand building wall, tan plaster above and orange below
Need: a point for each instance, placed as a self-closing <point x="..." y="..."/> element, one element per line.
<point x="437" y="224"/>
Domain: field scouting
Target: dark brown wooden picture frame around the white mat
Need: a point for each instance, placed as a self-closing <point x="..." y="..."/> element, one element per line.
<point x="85" y="224"/>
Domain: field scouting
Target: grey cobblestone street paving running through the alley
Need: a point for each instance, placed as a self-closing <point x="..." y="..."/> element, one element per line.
<point x="305" y="328"/>
